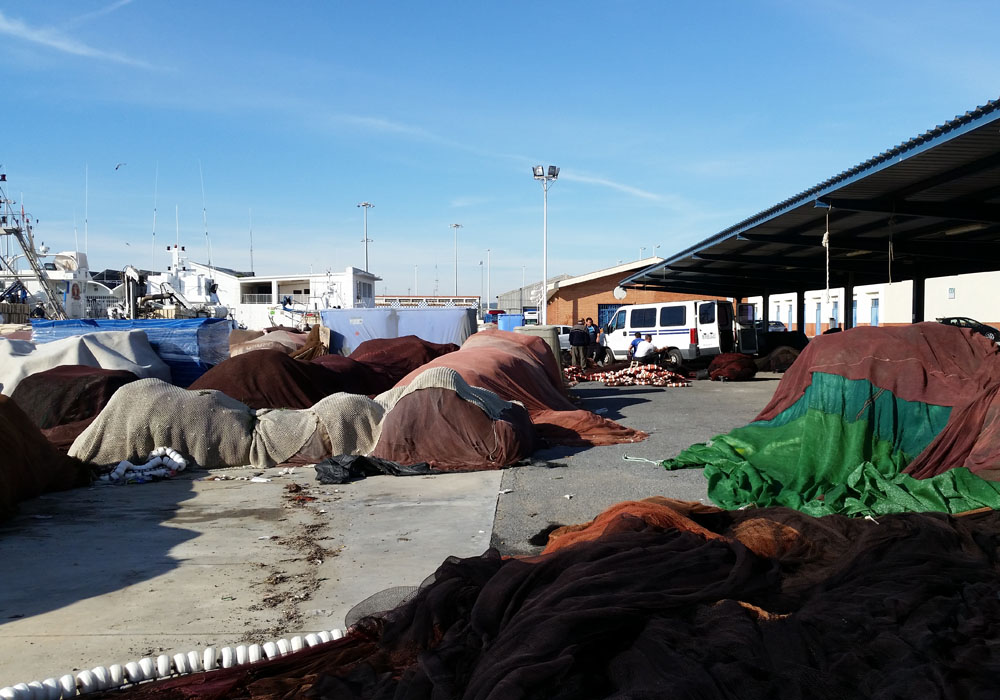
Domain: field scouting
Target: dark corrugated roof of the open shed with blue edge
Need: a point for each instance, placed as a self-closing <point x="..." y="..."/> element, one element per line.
<point x="934" y="201"/>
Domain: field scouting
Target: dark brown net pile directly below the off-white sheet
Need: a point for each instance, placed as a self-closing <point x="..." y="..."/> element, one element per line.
<point x="63" y="401"/>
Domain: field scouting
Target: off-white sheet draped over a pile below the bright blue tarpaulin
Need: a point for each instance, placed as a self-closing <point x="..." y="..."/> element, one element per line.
<point x="106" y="349"/>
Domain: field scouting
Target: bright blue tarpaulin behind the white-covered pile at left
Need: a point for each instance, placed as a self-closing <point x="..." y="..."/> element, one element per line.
<point x="189" y="346"/>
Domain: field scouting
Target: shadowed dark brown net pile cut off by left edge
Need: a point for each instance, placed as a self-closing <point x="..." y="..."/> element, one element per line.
<point x="29" y="465"/>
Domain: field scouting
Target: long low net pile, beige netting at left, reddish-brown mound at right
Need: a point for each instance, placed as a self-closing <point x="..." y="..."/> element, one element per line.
<point x="405" y="425"/>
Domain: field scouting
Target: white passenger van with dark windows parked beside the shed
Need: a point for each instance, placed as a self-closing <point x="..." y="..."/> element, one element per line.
<point x="684" y="329"/>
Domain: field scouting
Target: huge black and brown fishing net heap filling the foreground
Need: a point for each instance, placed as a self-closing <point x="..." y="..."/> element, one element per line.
<point x="669" y="599"/>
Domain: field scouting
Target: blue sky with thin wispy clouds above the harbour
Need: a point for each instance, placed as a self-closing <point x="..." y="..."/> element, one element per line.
<point x="670" y="121"/>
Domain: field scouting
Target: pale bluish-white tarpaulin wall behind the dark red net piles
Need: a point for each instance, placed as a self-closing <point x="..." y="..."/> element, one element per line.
<point x="351" y="327"/>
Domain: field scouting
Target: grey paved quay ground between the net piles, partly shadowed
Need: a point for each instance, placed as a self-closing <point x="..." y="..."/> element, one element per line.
<point x="110" y="574"/>
